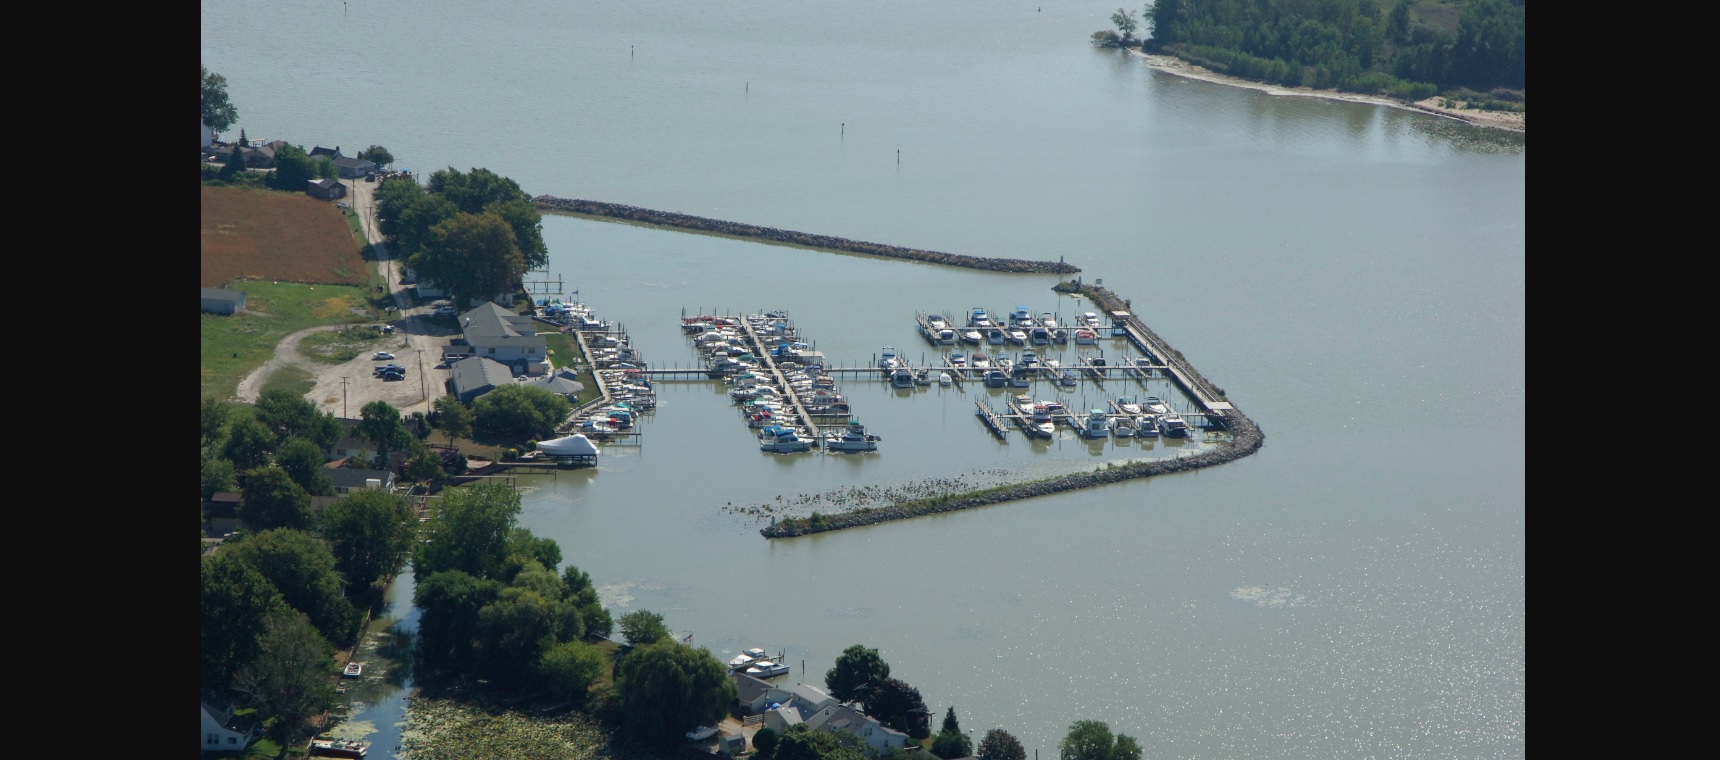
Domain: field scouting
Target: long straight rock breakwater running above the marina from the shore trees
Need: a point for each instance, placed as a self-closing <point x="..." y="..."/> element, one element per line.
<point x="804" y="240"/>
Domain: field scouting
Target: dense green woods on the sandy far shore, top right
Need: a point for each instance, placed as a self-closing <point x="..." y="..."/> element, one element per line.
<point x="1354" y="46"/>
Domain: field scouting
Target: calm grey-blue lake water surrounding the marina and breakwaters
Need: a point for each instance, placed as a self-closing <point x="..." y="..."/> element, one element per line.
<point x="1351" y="276"/>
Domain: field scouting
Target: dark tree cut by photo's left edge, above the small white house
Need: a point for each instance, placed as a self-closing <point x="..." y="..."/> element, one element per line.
<point x="236" y="601"/>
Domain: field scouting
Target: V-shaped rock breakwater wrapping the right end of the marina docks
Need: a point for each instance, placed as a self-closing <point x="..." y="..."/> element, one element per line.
<point x="1246" y="439"/>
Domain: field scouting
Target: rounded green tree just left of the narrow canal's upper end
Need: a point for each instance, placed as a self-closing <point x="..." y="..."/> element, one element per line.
<point x="369" y="534"/>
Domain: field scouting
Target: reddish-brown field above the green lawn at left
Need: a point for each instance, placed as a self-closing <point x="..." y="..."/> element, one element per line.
<point x="278" y="236"/>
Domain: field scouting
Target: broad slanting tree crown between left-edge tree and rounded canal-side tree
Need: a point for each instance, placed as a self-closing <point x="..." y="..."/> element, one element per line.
<point x="304" y="570"/>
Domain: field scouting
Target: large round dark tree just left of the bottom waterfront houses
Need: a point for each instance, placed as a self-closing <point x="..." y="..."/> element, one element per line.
<point x="668" y="689"/>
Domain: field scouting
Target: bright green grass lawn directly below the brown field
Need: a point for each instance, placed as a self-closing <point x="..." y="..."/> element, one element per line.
<point x="235" y="345"/>
